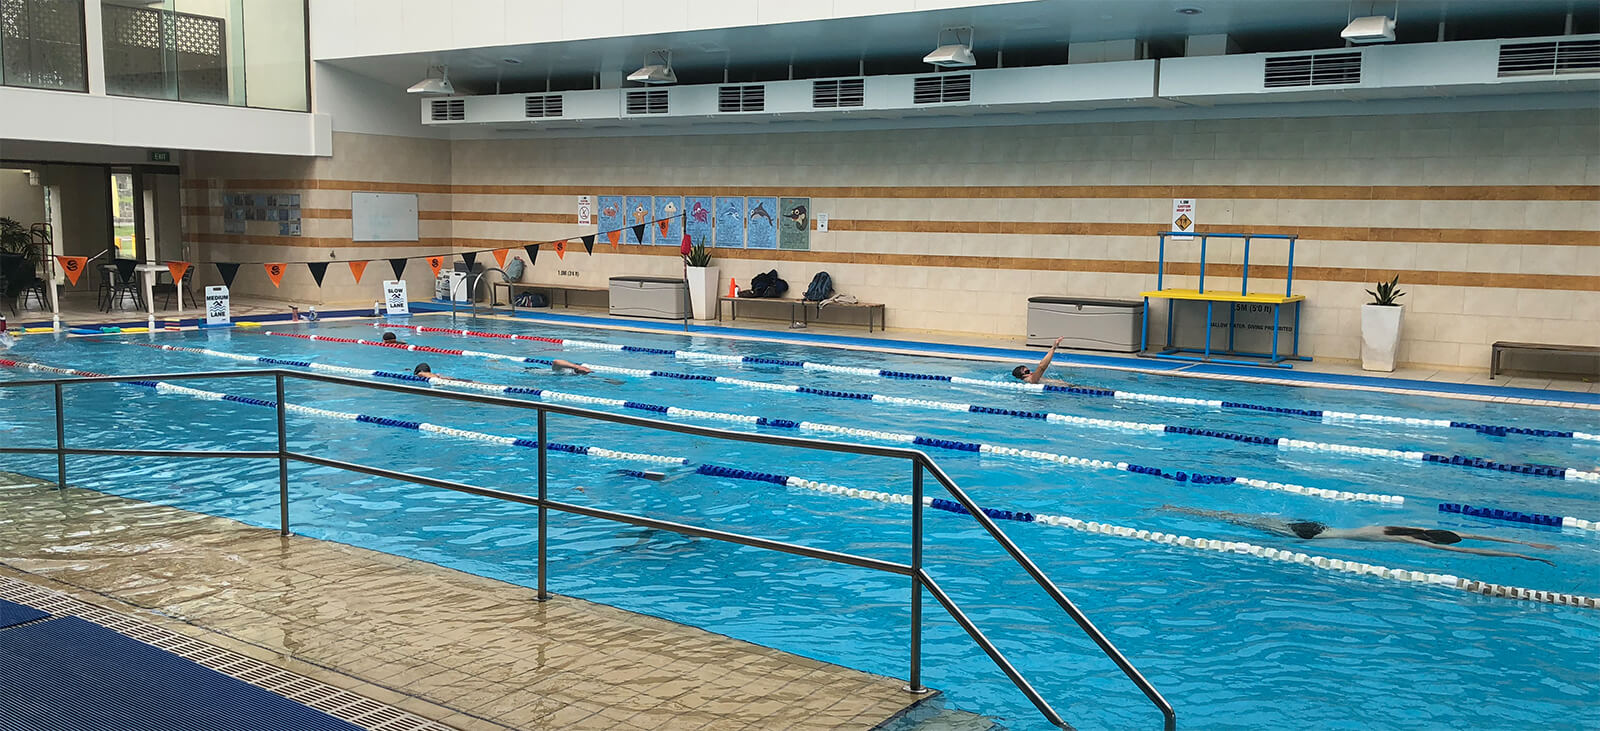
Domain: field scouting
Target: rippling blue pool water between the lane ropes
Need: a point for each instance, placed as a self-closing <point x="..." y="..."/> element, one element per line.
<point x="1233" y="641"/>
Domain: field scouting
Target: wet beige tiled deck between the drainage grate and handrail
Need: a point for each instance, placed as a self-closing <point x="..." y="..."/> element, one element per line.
<point x="457" y="649"/>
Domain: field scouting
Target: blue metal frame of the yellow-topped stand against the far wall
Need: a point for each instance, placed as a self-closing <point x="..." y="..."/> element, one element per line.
<point x="1207" y="356"/>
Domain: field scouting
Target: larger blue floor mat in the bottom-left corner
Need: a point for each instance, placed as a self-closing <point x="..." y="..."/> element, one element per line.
<point x="74" y="676"/>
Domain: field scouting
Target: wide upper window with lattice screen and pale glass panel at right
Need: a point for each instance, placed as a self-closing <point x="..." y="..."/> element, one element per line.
<point x="247" y="54"/>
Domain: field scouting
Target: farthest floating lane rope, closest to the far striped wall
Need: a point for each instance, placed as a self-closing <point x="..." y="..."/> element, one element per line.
<point x="1324" y="415"/>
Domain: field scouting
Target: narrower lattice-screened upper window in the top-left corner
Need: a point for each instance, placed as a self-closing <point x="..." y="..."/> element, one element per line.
<point x="42" y="44"/>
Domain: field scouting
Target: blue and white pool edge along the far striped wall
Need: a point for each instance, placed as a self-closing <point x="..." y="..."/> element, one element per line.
<point x="1134" y="364"/>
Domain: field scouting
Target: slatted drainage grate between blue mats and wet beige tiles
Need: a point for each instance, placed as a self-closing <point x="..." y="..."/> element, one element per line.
<point x="326" y="698"/>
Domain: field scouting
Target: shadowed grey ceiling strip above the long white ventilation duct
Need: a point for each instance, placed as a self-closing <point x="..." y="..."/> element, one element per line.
<point x="1030" y="33"/>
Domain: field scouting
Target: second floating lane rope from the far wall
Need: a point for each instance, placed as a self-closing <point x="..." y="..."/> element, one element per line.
<point x="1282" y="444"/>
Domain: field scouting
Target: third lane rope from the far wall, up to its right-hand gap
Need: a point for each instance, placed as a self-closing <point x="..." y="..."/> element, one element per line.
<point x="809" y="426"/>
